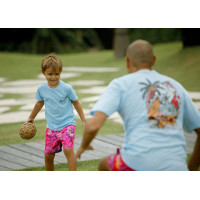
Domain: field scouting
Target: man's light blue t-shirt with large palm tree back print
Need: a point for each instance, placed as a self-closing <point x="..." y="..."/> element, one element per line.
<point x="154" y="109"/>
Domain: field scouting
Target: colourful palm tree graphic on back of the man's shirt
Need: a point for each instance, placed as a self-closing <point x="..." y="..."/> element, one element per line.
<point x="162" y="102"/>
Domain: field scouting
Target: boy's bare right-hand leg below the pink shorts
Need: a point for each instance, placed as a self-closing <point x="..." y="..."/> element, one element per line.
<point x="71" y="158"/>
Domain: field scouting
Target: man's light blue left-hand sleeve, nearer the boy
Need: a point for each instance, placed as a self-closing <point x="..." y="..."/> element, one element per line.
<point x="109" y="101"/>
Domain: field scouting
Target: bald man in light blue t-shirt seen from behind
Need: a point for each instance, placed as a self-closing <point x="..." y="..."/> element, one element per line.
<point x="155" y="109"/>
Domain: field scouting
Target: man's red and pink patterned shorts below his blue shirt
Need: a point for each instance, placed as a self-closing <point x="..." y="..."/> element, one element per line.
<point x="116" y="163"/>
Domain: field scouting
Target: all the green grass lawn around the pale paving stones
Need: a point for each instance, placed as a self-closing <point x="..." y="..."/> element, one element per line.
<point x="172" y="60"/>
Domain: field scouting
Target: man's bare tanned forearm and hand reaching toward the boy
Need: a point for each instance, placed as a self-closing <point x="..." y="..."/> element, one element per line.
<point x="90" y="131"/>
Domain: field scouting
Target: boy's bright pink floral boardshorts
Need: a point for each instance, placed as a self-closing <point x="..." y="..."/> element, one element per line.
<point x="55" y="140"/>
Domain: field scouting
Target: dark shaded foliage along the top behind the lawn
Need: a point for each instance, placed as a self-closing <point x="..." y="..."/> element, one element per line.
<point x="71" y="40"/>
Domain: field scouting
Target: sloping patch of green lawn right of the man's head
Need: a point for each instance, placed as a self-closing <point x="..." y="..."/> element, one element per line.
<point x="181" y="64"/>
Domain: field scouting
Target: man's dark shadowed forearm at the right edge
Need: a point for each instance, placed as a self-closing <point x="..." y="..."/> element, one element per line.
<point x="194" y="162"/>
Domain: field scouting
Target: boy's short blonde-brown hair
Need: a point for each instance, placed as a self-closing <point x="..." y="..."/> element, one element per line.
<point x="51" y="61"/>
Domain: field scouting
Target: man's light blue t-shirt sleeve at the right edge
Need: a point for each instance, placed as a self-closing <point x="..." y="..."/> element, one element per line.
<point x="191" y="115"/>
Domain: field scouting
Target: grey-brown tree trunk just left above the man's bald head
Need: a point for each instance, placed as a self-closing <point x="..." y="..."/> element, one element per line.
<point x="121" y="42"/>
